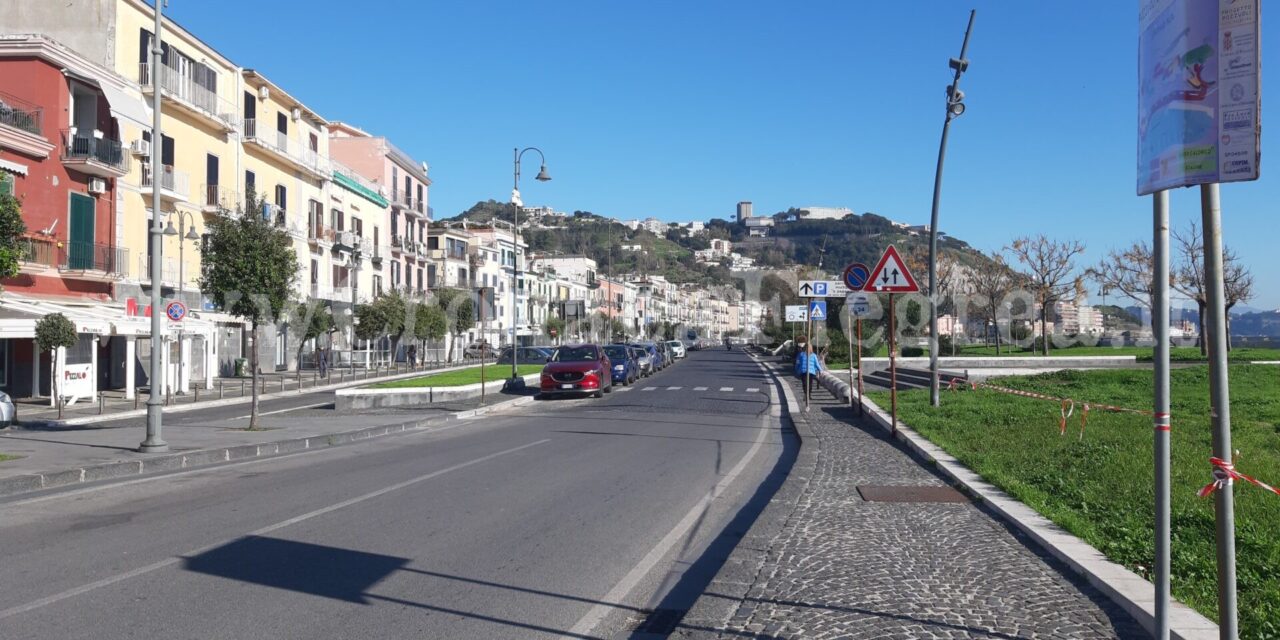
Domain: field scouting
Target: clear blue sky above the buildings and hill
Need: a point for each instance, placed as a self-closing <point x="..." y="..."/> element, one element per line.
<point x="678" y="111"/>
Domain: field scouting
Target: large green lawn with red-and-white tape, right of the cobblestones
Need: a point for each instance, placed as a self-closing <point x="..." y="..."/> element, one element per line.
<point x="1100" y="488"/>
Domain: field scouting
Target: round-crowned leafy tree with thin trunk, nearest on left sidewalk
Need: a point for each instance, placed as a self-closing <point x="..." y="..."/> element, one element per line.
<point x="249" y="269"/>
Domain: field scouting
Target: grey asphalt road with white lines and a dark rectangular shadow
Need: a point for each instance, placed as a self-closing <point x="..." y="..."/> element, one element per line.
<point x="560" y="519"/>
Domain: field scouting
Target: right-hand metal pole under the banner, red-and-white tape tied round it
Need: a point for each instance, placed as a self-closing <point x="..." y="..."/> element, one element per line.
<point x="1220" y="397"/>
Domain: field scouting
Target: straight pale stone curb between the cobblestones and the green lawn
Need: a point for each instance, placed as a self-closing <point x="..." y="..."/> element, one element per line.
<point x="1133" y="593"/>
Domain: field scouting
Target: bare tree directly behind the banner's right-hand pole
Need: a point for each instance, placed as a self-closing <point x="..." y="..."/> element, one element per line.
<point x="1188" y="278"/>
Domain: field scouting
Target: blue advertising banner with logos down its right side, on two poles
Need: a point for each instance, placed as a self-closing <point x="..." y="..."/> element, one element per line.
<point x="1199" y="100"/>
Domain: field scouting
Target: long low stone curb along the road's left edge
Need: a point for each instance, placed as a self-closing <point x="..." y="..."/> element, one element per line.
<point x="16" y="486"/>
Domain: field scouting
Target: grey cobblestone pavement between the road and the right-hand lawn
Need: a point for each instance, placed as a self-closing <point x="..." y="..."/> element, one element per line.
<point x="842" y="568"/>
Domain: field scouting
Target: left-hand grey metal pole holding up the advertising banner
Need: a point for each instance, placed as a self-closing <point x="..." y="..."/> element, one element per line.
<point x="1160" y="326"/>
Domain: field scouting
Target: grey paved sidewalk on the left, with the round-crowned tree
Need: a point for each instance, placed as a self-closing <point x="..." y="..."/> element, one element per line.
<point x="56" y="455"/>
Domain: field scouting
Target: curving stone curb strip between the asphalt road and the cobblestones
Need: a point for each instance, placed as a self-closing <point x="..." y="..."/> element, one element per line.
<point x="742" y="570"/>
